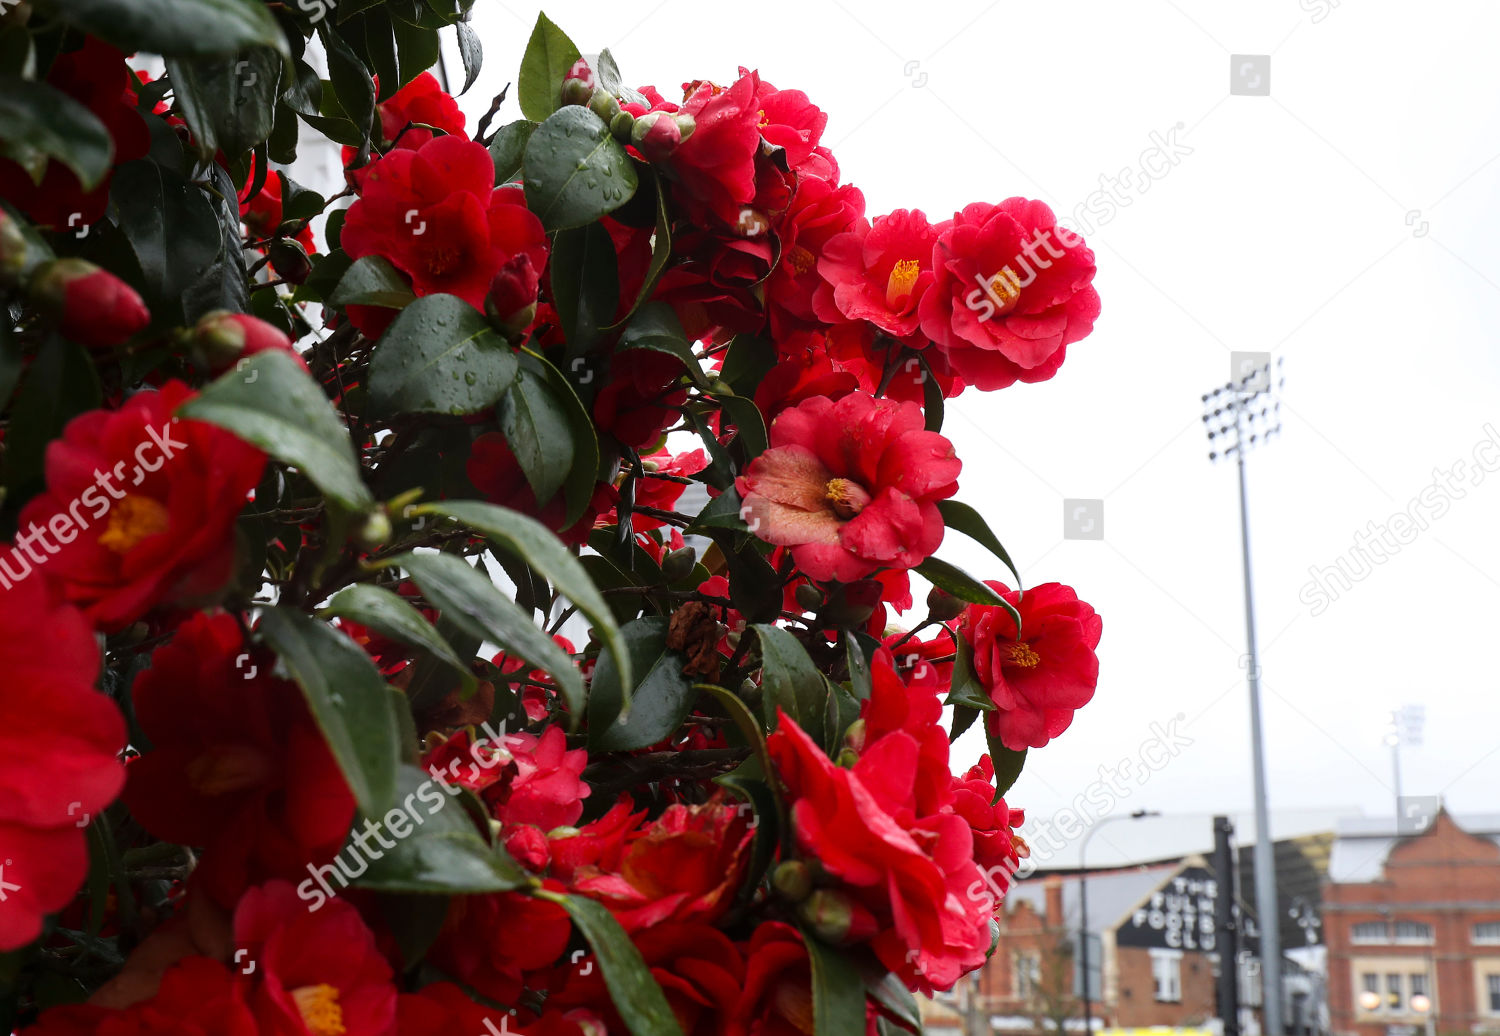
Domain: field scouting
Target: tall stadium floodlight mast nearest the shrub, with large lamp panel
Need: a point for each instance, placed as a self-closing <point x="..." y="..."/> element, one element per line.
<point x="1240" y="416"/>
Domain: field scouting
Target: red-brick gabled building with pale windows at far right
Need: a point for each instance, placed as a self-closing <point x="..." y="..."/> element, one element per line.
<point x="1415" y="915"/>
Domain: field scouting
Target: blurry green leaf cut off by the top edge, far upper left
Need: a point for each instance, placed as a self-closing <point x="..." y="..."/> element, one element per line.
<point x="178" y="28"/>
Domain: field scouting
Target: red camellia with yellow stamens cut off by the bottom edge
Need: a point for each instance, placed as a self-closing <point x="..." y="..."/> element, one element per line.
<point x="317" y="972"/>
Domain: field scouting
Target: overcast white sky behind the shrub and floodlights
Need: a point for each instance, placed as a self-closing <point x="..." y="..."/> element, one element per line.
<point x="1345" y="223"/>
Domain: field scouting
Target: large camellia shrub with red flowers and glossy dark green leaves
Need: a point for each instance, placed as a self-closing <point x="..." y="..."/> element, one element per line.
<point x="491" y="609"/>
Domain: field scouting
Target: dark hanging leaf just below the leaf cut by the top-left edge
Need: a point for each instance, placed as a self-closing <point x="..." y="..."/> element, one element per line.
<point x="230" y="106"/>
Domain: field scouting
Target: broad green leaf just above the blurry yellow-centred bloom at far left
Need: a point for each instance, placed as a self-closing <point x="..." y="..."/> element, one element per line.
<point x="274" y="404"/>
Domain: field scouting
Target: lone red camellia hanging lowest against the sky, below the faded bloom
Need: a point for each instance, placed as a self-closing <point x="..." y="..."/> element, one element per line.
<point x="1040" y="678"/>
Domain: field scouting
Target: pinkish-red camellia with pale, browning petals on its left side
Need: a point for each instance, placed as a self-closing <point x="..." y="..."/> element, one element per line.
<point x="851" y="487"/>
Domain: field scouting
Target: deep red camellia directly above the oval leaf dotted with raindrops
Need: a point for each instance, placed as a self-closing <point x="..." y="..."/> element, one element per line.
<point x="439" y="217"/>
